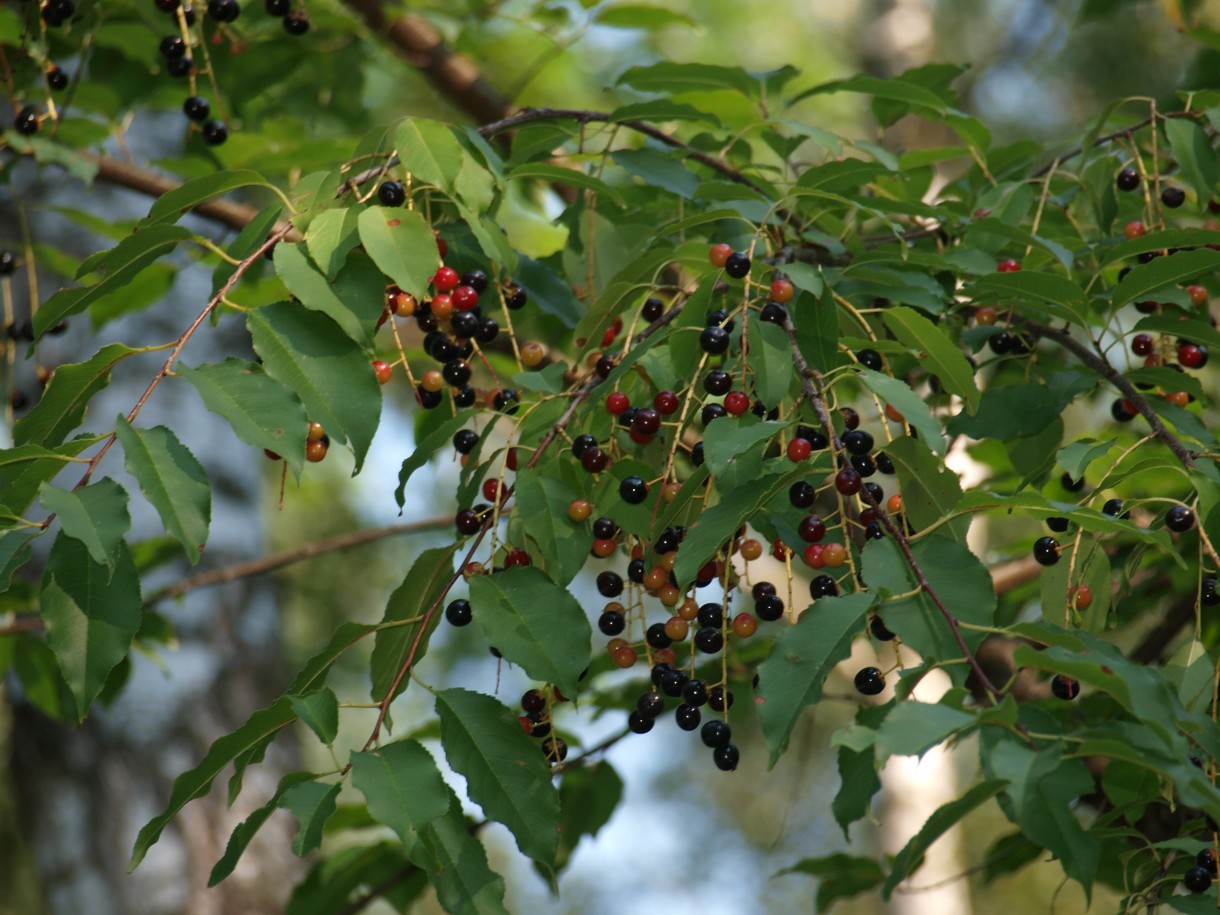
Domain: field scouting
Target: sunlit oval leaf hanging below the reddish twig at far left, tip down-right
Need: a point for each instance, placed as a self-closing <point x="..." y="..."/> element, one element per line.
<point x="173" y="480"/>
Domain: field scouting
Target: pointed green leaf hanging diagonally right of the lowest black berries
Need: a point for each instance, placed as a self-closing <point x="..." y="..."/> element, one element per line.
<point x="803" y="656"/>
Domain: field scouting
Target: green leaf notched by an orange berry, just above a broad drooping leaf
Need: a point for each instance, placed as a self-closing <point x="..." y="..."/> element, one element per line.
<point x="562" y="545"/>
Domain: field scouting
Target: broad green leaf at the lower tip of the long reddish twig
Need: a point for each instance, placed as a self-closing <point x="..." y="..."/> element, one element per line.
<point x="404" y="791"/>
